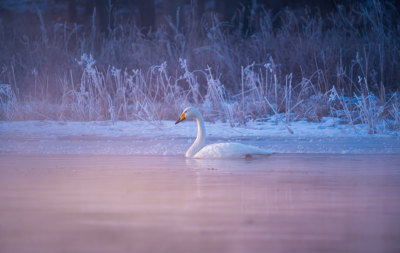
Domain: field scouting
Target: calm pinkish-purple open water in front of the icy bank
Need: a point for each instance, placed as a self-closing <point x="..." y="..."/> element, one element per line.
<point x="284" y="203"/>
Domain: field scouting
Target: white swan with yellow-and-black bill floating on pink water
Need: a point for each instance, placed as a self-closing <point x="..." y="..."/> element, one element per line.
<point x="218" y="150"/>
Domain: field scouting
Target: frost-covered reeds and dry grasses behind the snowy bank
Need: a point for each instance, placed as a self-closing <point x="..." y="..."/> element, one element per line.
<point x="344" y="65"/>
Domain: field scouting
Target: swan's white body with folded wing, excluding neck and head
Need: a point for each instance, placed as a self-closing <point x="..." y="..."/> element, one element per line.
<point x="229" y="150"/>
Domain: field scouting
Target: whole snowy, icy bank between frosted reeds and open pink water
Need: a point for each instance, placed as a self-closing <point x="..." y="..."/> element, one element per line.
<point x="165" y="138"/>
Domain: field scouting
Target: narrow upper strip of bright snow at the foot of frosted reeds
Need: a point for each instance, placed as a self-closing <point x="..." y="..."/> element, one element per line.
<point x="329" y="127"/>
